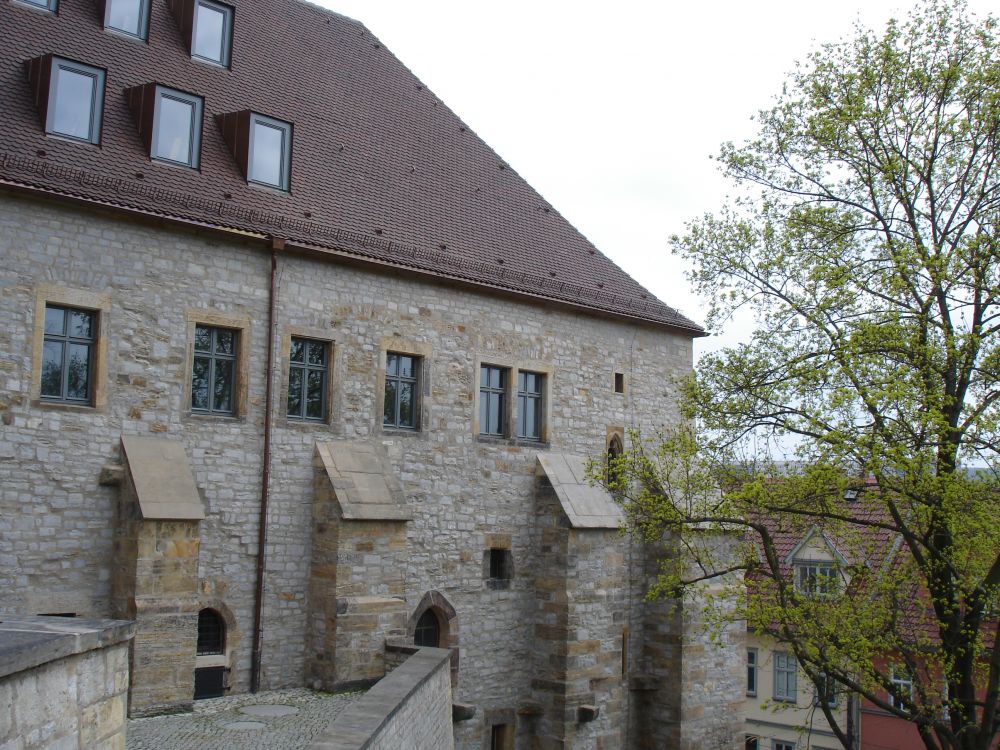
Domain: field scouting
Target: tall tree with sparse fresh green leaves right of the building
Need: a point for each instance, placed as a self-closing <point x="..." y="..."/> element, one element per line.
<point x="864" y="238"/>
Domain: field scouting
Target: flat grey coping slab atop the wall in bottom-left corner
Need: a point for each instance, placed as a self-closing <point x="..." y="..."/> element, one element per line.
<point x="31" y="641"/>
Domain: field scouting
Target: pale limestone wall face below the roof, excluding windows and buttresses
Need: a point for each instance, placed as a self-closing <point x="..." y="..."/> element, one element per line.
<point x="57" y="520"/>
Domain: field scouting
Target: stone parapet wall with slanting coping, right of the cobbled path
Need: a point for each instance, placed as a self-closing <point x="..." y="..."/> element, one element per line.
<point x="410" y="707"/>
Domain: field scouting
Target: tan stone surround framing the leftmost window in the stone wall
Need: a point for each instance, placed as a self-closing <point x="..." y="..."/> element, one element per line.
<point x="50" y="294"/>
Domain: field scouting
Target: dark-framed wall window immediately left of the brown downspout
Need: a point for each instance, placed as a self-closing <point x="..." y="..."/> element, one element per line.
<point x="213" y="376"/>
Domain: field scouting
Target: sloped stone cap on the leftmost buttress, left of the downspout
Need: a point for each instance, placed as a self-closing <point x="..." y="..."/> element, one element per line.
<point x="163" y="480"/>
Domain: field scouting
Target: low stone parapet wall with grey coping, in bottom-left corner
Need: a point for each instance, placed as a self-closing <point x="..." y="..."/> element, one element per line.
<point x="63" y="683"/>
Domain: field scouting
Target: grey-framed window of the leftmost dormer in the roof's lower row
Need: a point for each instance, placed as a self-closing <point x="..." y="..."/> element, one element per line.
<point x="76" y="101"/>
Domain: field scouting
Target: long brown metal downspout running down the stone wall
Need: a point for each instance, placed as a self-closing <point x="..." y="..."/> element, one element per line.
<point x="265" y="481"/>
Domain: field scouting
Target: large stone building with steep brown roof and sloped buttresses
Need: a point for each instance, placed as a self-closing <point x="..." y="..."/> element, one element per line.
<point x="293" y="366"/>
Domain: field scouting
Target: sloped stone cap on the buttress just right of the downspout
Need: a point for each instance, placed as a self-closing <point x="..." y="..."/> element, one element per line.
<point x="363" y="482"/>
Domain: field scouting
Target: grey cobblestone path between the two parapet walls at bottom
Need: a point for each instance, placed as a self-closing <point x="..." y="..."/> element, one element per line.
<point x="264" y="721"/>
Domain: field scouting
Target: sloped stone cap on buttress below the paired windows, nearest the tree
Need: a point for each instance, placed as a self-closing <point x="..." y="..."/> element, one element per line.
<point x="586" y="505"/>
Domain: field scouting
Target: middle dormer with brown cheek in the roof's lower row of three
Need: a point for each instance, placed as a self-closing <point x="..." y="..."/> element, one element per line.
<point x="169" y="123"/>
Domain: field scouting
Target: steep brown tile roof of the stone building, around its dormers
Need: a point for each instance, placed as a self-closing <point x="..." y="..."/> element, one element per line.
<point x="382" y="170"/>
